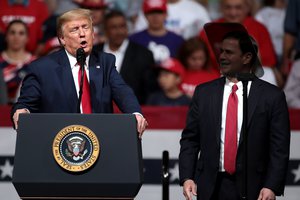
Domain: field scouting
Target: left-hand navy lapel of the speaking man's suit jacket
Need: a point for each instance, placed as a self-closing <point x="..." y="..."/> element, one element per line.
<point x="67" y="82"/>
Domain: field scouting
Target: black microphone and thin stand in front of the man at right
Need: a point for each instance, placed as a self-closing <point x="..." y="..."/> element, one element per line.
<point x="245" y="77"/>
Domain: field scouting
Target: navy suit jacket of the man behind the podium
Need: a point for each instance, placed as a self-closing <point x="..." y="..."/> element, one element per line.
<point x="49" y="86"/>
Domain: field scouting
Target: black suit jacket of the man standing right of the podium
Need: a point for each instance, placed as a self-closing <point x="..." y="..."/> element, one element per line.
<point x="268" y="139"/>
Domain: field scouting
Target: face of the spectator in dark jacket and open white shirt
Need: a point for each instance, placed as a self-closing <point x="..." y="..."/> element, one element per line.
<point x="116" y="30"/>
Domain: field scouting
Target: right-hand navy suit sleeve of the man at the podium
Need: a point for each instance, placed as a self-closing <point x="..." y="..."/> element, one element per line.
<point x="122" y="94"/>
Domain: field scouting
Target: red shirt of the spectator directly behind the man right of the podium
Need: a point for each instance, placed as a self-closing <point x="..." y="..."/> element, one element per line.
<point x="260" y="33"/>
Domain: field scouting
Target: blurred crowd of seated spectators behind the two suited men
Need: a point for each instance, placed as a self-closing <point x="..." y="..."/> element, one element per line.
<point x="161" y="48"/>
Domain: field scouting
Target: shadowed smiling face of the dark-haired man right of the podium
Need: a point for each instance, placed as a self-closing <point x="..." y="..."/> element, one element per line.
<point x="231" y="58"/>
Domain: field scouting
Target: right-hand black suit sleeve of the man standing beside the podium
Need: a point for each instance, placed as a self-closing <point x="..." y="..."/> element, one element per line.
<point x="279" y="145"/>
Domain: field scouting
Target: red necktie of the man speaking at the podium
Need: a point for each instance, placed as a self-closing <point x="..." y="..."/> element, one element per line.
<point x="86" y="97"/>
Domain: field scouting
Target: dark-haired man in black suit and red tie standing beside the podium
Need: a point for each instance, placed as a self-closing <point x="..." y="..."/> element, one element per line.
<point x="217" y="173"/>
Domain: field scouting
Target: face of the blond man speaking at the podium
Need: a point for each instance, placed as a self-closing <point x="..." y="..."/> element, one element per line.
<point x="77" y="33"/>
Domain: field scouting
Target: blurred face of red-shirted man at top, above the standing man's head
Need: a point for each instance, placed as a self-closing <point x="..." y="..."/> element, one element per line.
<point x="234" y="10"/>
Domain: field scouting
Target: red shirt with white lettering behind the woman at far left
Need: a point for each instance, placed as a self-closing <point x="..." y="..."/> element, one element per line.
<point x="34" y="15"/>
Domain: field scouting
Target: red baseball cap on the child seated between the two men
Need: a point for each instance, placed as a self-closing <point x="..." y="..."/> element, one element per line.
<point x="173" y="65"/>
